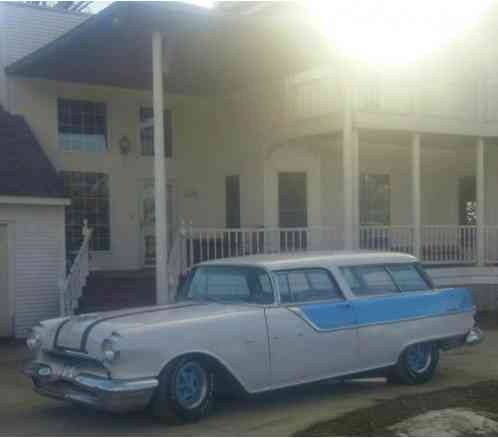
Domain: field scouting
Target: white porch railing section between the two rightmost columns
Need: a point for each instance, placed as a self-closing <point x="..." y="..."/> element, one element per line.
<point x="448" y="244"/>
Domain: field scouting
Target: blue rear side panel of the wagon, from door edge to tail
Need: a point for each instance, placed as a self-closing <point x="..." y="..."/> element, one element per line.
<point x="412" y="305"/>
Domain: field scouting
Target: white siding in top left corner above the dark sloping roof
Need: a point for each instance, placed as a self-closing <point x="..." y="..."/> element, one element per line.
<point x="24" y="29"/>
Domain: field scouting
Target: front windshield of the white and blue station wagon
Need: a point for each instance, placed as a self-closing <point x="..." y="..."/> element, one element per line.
<point x="228" y="284"/>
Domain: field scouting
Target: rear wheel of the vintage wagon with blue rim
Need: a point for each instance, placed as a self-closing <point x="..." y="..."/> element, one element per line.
<point x="416" y="365"/>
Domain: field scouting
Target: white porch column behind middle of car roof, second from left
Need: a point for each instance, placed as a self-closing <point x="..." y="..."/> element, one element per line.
<point x="350" y="164"/>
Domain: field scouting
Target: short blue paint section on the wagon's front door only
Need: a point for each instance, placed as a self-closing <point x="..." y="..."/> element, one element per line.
<point x="330" y="316"/>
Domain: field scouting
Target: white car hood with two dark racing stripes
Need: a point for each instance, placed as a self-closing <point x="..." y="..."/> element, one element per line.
<point x="75" y="333"/>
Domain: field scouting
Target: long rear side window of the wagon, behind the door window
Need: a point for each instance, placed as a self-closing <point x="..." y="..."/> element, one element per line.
<point x="385" y="279"/>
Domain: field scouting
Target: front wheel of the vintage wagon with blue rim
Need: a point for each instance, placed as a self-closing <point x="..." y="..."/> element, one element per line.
<point x="185" y="391"/>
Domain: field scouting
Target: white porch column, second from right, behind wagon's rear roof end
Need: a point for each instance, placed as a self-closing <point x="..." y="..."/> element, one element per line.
<point x="416" y="195"/>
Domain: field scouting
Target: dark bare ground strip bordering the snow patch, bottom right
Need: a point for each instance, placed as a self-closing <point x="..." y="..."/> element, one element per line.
<point x="376" y="420"/>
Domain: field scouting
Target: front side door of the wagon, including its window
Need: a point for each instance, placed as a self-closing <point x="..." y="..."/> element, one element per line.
<point x="312" y="332"/>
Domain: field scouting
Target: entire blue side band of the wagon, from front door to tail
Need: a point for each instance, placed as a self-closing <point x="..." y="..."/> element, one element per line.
<point x="387" y="308"/>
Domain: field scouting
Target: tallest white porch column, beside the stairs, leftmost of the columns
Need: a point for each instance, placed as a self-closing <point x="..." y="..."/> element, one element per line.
<point x="162" y="294"/>
